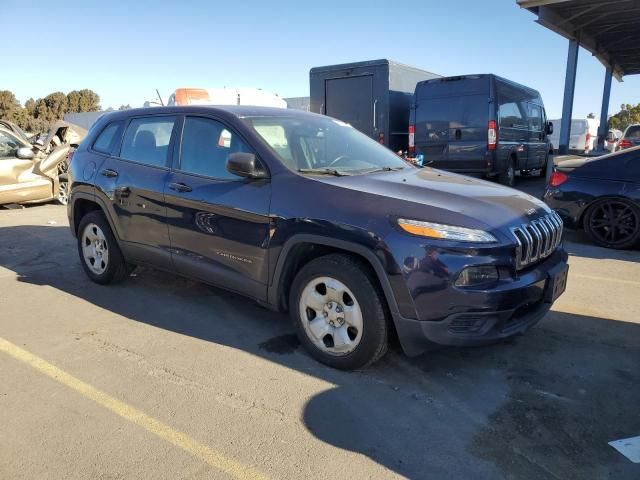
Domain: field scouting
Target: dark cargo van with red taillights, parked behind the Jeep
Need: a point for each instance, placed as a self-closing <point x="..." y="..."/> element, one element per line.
<point x="480" y="124"/>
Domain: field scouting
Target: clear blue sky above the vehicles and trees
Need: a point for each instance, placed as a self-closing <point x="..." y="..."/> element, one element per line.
<point x="123" y="50"/>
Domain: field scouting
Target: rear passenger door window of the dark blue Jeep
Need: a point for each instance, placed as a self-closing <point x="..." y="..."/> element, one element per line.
<point x="147" y="140"/>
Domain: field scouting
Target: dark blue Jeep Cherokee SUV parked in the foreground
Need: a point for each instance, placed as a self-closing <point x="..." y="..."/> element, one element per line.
<point x="303" y="213"/>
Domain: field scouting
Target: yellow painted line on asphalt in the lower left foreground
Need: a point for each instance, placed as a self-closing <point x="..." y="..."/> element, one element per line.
<point x="181" y="440"/>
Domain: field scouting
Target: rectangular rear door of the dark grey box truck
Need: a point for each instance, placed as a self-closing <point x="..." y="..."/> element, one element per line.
<point x="350" y="99"/>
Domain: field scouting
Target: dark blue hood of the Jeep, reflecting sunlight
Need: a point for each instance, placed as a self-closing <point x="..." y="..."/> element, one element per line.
<point x="458" y="199"/>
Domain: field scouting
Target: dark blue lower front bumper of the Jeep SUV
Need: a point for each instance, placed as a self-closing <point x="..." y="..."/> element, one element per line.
<point x="482" y="317"/>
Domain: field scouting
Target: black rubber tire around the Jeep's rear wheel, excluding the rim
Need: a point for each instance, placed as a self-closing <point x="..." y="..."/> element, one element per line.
<point x="117" y="268"/>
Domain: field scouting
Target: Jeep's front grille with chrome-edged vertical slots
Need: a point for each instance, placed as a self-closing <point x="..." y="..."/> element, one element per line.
<point x="537" y="240"/>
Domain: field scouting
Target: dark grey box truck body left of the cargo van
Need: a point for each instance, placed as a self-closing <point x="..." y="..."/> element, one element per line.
<point x="373" y="96"/>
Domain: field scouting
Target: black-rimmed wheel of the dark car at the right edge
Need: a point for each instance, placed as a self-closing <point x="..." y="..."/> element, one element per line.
<point x="623" y="233"/>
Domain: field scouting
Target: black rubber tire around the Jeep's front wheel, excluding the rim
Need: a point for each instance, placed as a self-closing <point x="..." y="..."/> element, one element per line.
<point x="354" y="275"/>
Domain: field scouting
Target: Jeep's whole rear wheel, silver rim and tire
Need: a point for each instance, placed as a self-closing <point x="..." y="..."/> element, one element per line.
<point x="99" y="252"/>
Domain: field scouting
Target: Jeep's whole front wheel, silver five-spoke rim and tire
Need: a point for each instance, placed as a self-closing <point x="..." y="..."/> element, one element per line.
<point x="339" y="314"/>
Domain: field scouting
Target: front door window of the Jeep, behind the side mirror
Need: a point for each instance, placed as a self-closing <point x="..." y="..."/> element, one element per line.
<point x="206" y="144"/>
